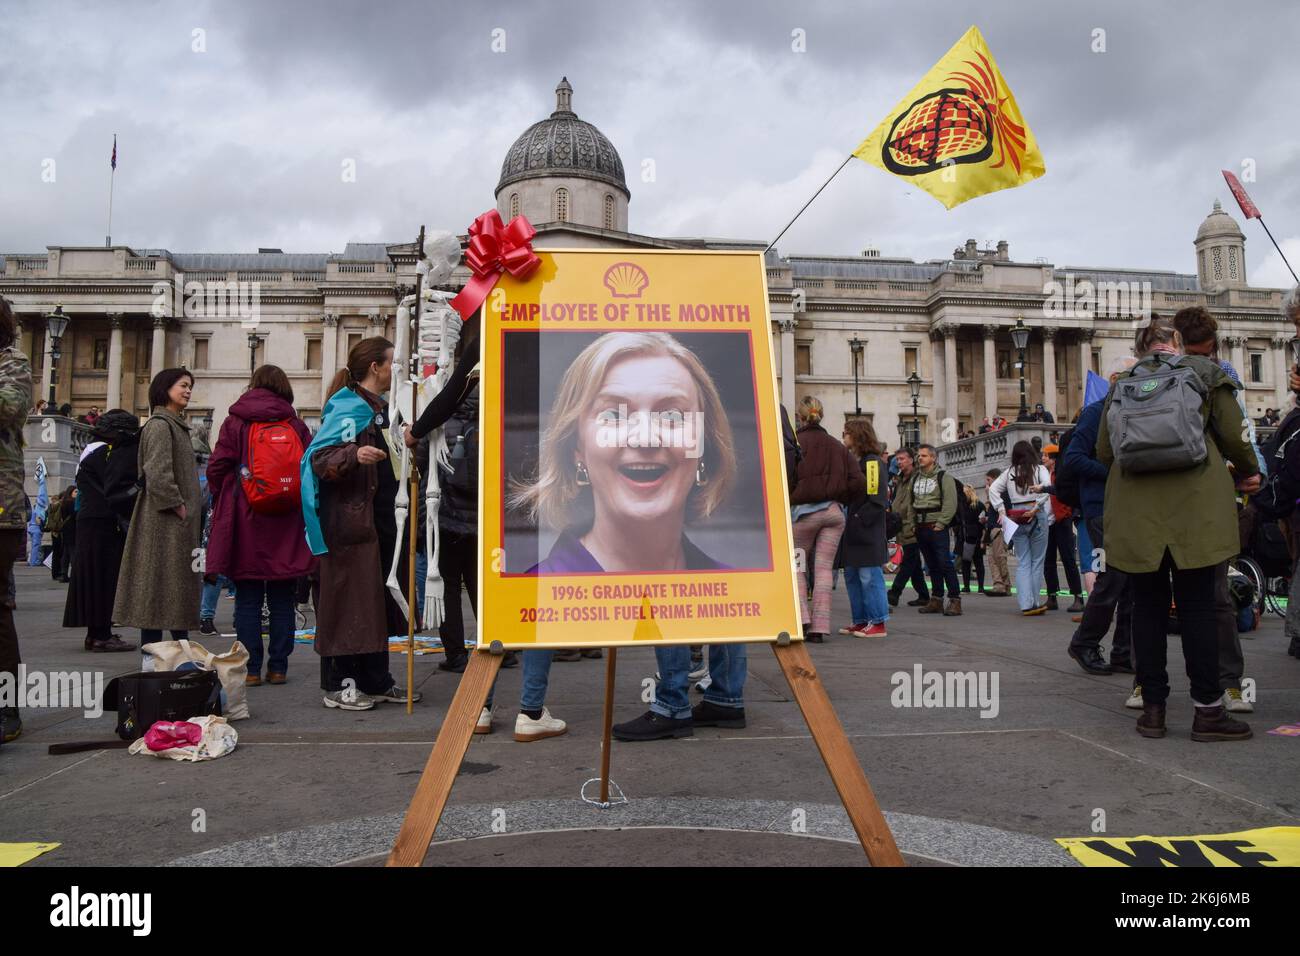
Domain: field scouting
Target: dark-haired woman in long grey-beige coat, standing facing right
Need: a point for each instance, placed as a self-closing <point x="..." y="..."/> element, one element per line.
<point x="161" y="585"/>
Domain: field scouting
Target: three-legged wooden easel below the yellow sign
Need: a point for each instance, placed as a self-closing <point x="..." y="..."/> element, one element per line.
<point x="449" y="751"/>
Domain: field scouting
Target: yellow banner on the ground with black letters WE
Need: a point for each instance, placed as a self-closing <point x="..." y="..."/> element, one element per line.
<point x="1275" y="846"/>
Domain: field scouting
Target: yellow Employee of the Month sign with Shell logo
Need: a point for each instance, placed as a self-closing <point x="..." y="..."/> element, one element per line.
<point x="632" y="481"/>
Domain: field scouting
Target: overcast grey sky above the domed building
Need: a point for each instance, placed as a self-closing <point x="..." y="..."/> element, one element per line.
<point x="242" y="142"/>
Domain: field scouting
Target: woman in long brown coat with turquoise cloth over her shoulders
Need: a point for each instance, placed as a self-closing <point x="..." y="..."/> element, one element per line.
<point x="349" y="486"/>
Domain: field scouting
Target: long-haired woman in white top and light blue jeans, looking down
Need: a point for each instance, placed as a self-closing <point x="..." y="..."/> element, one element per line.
<point x="1019" y="501"/>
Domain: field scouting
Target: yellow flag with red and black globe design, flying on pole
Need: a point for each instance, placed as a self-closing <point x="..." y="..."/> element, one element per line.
<point x="959" y="135"/>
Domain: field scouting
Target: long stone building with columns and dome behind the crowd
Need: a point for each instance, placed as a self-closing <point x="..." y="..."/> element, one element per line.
<point x="848" y="330"/>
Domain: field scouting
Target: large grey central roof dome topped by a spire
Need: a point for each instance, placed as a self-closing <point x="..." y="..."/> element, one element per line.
<point x="562" y="145"/>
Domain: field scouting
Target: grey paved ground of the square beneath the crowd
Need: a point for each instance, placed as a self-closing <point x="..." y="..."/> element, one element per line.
<point x="320" y="788"/>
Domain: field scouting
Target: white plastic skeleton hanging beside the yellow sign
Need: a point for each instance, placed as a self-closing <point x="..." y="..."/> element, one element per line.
<point x="423" y="361"/>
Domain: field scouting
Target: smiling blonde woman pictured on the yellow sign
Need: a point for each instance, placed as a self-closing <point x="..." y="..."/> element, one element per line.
<point x="638" y="448"/>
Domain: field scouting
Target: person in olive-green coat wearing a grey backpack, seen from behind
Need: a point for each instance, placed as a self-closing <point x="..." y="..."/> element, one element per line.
<point x="1169" y="429"/>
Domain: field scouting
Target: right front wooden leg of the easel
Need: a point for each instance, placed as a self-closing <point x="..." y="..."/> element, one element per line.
<point x="840" y="760"/>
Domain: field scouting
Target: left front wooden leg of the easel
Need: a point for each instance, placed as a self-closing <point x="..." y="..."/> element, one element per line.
<point x="440" y="772"/>
